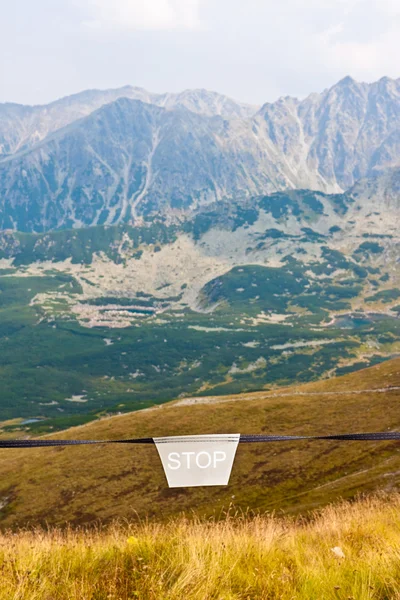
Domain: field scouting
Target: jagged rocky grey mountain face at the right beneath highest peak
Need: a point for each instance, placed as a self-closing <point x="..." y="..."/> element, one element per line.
<point x="346" y="132"/>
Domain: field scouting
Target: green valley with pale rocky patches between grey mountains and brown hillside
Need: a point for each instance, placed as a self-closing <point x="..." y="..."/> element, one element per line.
<point x="237" y="298"/>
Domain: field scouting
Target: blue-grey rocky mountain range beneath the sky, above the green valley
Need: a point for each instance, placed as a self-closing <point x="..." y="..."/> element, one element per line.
<point x="127" y="156"/>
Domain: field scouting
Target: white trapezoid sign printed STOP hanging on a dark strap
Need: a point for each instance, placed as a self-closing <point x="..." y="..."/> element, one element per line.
<point x="195" y="460"/>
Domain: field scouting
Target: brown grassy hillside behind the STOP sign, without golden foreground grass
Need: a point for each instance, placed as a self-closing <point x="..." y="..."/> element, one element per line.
<point x="83" y="484"/>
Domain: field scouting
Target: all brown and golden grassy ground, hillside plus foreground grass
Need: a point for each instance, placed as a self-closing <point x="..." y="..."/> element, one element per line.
<point x="99" y="523"/>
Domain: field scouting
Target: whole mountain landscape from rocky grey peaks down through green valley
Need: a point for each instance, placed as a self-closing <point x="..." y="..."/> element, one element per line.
<point x="158" y="246"/>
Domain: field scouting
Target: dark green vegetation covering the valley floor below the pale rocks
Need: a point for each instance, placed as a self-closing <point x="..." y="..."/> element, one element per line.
<point x="52" y="368"/>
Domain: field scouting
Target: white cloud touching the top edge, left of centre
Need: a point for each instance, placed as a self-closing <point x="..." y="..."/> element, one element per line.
<point x="144" y="14"/>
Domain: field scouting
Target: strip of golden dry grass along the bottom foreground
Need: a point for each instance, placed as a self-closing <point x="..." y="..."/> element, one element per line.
<point x="239" y="557"/>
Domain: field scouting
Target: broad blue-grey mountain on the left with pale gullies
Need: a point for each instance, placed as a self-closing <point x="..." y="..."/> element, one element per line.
<point x="127" y="158"/>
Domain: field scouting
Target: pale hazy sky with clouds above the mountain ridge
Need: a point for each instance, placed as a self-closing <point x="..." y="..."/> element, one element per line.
<point x="252" y="50"/>
